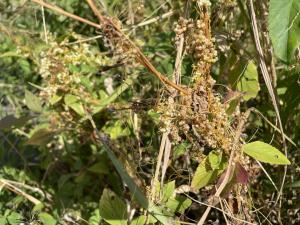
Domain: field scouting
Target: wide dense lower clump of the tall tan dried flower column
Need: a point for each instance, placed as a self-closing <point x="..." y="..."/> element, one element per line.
<point x="200" y="118"/>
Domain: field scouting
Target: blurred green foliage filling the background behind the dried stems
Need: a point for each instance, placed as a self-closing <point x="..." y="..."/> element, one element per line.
<point x="71" y="178"/>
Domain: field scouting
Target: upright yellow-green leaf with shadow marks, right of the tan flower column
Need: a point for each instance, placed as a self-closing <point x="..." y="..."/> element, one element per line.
<point x="248" y="82"/>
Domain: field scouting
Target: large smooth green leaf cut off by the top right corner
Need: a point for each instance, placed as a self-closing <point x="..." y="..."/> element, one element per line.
<point x="284" y="27"/>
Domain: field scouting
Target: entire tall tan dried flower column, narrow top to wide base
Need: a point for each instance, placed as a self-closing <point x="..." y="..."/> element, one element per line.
<point x="200" y="117"/>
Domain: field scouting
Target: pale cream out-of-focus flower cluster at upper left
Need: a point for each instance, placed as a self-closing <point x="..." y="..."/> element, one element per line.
<point x="62" y="67"/>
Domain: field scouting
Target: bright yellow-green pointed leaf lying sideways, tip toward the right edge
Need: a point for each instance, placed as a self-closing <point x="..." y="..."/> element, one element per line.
<point x="265" y="153"/>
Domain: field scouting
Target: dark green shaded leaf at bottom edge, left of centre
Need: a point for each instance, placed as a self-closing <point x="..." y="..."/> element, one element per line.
<point x="112" y="209"/>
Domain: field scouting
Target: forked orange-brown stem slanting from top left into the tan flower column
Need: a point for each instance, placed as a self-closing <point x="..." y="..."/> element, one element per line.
<point x="141" y="58"/>
